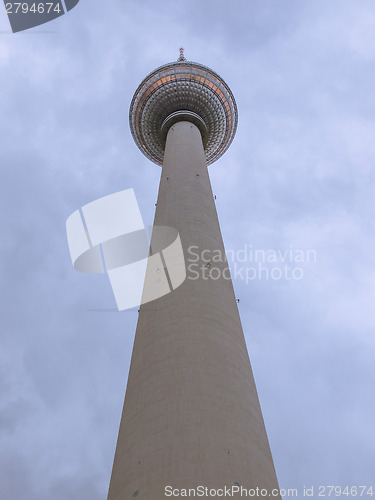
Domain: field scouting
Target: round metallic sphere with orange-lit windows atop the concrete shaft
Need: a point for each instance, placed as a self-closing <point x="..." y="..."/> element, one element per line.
<point x="188" y="91"/>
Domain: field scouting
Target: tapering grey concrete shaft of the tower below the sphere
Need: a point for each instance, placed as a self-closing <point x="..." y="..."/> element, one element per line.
<point x="191" y="414"/>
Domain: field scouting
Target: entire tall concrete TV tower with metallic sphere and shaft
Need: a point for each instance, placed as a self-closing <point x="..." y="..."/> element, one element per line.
<point x="191" y="416"/>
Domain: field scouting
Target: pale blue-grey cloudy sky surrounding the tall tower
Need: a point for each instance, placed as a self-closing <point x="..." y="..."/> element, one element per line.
<point x="299" y="175"/>
